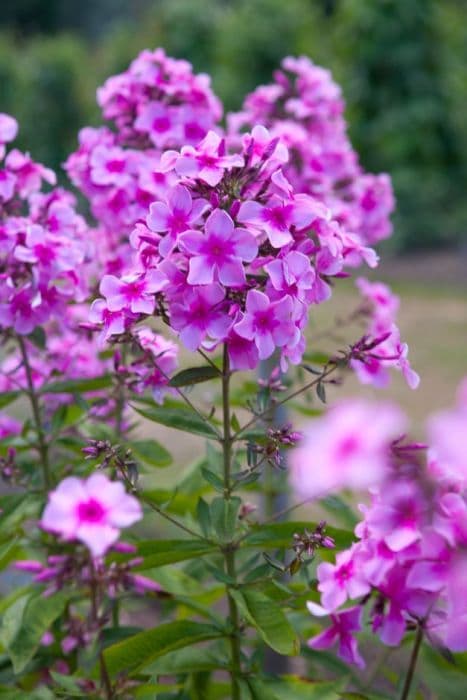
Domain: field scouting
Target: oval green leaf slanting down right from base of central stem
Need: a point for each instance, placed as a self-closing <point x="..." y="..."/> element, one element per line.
<point x="270" y="621"/>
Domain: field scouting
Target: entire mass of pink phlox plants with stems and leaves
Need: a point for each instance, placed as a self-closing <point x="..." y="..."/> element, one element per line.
<point x="171" y="301"/>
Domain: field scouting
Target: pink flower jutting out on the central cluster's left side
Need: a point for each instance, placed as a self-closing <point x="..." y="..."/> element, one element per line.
<point x="135" y="292"/>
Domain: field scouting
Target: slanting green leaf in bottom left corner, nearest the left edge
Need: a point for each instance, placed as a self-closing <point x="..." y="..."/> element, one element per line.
<point x="38" y="615"/>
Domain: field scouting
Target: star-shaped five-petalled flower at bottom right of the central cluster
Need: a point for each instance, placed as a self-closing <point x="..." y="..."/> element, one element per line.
<point x="268" y="323"/>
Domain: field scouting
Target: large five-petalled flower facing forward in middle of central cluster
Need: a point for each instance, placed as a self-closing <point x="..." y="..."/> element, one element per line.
<point x="219" y="253"/>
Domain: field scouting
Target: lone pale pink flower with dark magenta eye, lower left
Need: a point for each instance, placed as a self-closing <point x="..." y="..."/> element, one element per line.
<point x="92" y="511"/>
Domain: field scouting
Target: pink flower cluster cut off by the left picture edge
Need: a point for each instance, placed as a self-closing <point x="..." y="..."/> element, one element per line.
<point x="42" y="243"/>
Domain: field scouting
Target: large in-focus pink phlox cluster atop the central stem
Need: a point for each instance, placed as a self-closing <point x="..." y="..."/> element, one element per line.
<point x="232" y="255"/>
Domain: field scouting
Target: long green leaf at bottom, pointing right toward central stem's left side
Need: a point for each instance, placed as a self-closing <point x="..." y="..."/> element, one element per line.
<point x="138" y="651"/>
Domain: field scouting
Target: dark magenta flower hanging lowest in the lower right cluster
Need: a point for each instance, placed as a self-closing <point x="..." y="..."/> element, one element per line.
<point x="344" y="624"/>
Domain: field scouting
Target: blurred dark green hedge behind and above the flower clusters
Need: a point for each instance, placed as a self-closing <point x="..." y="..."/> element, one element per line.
<point x="402" y="65"/>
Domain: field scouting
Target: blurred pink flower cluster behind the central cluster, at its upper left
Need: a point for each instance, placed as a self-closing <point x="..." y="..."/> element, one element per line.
<point x="158" y="103"/>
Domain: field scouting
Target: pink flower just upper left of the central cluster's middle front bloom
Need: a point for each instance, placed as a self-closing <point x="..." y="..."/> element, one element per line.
<point x="179" y="214"/>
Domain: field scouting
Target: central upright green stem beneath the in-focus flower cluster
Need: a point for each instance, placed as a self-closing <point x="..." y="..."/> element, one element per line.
<point x="229" y="551"/>
